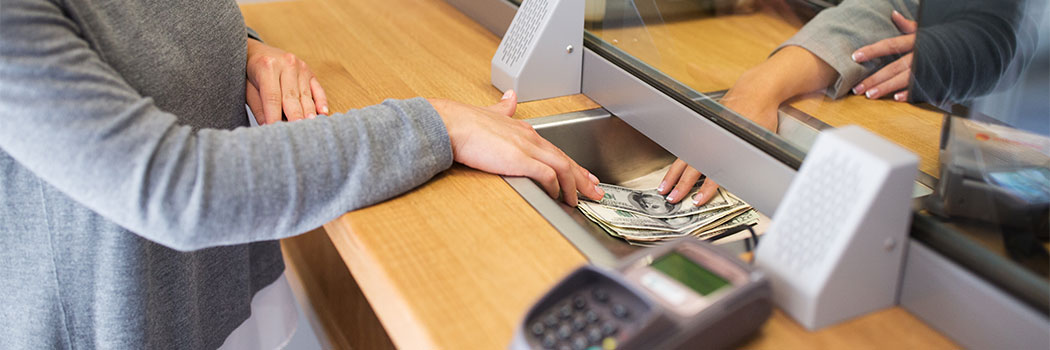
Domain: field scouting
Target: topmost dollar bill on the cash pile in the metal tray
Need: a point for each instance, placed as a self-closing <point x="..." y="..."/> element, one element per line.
<point x="653" y="204"/>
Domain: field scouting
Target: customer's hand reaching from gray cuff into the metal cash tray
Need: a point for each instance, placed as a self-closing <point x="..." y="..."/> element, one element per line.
<point x="488" y="139"/>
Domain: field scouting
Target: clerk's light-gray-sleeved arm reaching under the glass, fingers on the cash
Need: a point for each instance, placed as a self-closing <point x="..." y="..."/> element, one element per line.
<point x="816" y="58"/>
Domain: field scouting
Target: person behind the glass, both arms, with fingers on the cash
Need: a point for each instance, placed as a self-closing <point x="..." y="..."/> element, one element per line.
<point x="866" y="47"/>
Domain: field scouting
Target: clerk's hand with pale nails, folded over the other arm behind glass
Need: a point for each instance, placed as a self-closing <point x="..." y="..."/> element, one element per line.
<point x="894" y="77"/>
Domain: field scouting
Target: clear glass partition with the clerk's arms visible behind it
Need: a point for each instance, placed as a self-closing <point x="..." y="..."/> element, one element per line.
<point x="778" y="72"/>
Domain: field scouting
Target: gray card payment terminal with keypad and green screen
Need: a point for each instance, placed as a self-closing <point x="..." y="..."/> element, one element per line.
<point x="685" y="295"/>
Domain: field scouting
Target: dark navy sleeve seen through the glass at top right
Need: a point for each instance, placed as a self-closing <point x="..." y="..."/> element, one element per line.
<point x="971" y="48"/>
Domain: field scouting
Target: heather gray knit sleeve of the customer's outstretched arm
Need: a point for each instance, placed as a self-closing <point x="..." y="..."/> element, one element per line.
<point x="72" y="120"/>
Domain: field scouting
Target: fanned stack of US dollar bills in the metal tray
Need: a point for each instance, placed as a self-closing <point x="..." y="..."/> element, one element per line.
<point x="645" y="218"/>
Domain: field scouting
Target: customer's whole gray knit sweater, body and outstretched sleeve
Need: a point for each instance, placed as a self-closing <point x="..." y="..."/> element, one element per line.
<point x="135" y="211"/>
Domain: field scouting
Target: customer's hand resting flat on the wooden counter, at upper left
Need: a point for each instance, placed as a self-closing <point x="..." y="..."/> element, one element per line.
<point x="279" y="83"/>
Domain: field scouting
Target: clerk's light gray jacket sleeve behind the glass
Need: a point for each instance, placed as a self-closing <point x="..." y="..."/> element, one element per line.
<point x="836" y="33"/>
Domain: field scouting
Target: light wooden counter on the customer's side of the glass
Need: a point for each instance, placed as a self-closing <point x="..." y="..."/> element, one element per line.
<point x="455" y="263"/>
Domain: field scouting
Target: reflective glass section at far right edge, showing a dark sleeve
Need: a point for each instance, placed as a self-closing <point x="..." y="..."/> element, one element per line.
<point x="991" y="64"/>
